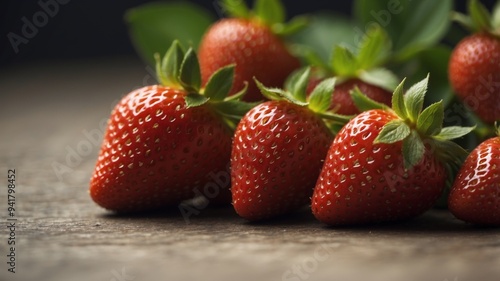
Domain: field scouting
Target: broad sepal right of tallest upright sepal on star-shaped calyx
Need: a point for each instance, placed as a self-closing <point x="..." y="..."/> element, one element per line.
<point x="430" y="121"/>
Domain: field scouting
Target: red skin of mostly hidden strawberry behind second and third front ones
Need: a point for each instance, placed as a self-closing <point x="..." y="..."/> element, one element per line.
<point x="342" y="102"/>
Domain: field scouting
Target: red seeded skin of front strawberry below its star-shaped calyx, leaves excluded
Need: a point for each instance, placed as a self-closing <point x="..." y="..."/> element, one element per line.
<point x="363" y="182"/>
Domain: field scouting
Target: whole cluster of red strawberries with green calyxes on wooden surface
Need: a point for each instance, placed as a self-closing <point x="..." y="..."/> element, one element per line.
<point x="356" y="149"/>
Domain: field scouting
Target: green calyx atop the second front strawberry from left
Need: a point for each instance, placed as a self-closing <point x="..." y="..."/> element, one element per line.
<point x="319" y="101"/>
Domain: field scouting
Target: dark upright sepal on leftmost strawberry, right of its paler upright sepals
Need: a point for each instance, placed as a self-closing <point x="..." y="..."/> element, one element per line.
<point x="190" y="76"/>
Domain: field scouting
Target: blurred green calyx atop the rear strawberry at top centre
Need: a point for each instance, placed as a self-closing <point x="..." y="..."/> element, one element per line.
<point x="268" y="12"/>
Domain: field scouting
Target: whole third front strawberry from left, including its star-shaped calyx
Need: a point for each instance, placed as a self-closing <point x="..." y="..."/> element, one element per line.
<point x="387" y="164"/>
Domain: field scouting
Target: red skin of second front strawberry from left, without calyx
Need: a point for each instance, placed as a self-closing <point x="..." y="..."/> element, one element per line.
<point x="277" y="155"/>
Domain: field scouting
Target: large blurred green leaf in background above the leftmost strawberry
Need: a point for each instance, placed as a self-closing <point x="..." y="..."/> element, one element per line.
<point x="154" y="26"/>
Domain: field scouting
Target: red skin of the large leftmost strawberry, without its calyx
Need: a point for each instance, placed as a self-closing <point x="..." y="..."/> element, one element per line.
<point x="156" y="151"/>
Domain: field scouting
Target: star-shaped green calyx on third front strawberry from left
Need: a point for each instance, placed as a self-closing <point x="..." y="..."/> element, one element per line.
<point x="418" y="128"/>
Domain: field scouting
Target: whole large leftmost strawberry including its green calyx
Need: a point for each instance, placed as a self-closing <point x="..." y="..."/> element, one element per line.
<point x="164" y="143"/>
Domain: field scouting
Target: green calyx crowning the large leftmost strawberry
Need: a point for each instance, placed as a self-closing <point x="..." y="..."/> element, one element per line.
<point x="181" y="70"/>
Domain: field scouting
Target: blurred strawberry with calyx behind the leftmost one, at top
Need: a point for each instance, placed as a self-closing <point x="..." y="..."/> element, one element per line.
<point x="250" y="41"/>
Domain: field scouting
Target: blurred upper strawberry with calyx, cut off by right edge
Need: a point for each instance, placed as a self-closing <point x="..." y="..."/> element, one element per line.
<point x="474" y="67"/>
